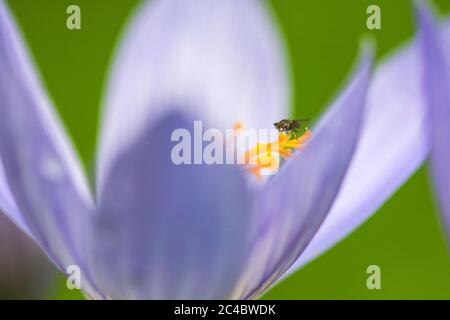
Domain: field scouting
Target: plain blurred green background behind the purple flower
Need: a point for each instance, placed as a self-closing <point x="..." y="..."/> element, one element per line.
<point x="404" y="237"/>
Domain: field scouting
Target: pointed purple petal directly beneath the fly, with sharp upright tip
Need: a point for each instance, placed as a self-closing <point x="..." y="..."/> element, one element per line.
<point x="293" y="205"/>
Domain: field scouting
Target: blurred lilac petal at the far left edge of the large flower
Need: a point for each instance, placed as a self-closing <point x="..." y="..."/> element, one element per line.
<point x="42" y="172"/>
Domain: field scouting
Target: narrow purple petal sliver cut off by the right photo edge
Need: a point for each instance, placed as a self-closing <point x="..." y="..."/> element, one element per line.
<point x="435" y="45"/>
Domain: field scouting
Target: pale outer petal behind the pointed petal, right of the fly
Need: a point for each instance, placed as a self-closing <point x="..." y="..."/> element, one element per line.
<point x="393" y="144"/>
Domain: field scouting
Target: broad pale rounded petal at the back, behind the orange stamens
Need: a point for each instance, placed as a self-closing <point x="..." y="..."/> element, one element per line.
<point x="220" y="59"/>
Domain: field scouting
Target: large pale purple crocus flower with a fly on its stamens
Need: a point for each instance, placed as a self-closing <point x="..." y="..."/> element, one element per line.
<point x="158" y="230"/>
